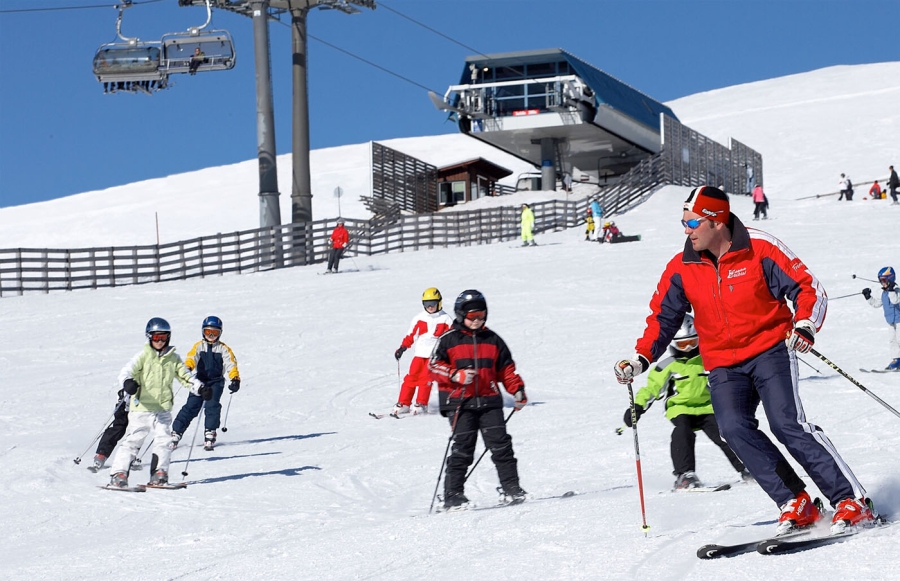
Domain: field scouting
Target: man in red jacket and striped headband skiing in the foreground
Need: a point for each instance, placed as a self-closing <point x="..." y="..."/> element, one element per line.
<point x="738" y="282"/>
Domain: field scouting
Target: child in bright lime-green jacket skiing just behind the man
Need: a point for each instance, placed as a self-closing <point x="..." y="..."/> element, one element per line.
<point x="682" y="381"/>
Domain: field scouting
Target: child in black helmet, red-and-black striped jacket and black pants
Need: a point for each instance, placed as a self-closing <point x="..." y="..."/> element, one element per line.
<point x="468" y="364"/>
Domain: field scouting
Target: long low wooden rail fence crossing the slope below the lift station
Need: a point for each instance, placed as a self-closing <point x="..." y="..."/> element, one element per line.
<point x="44" y="269"/>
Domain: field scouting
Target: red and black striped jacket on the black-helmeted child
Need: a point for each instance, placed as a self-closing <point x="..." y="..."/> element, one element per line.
<point x="482" y="350"/>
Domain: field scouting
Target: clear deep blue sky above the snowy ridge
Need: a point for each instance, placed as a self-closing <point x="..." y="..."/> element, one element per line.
<point x="60" y="135"/>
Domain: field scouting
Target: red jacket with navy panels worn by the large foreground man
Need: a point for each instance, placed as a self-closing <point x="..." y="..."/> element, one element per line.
<point x="740" y="305"/>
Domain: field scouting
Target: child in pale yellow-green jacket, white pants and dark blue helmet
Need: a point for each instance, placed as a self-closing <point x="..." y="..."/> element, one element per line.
<point x="147" y="379"/>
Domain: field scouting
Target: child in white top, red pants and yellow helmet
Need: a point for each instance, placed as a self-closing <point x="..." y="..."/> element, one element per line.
<point x="424" y="331"/>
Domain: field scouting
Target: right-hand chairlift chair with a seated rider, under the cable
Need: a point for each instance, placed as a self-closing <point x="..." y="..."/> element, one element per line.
<point x="216" y="46"/>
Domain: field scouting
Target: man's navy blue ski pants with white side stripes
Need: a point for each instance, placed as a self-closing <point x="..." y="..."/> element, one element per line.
<point x="770" y="378"/>
